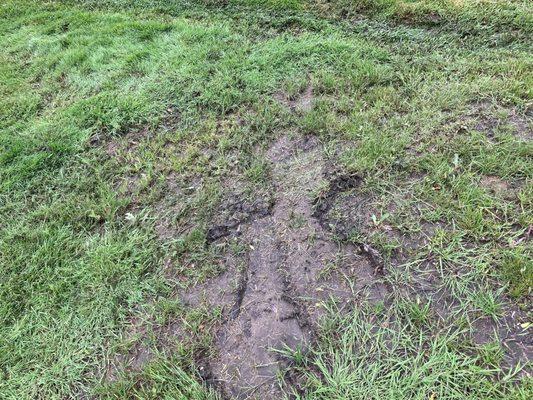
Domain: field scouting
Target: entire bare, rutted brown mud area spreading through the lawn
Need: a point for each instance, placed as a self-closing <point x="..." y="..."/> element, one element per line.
<point x="302" y="244"/>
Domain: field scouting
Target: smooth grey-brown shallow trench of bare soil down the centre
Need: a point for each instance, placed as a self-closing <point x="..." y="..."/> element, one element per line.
<point x="280" y="291"/>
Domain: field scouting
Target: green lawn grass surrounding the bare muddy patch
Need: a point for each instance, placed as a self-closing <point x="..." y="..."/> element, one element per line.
<point x="74" y="264"/>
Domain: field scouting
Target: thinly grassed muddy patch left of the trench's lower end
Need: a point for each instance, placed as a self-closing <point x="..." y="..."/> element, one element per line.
<point x="200" y="308"/>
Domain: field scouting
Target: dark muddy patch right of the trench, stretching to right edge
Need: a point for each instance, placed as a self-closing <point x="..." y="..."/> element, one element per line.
<point x="413" y="272"/>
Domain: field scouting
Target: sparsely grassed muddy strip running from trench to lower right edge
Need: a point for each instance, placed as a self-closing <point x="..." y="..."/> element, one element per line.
<point x="420" y="278"/>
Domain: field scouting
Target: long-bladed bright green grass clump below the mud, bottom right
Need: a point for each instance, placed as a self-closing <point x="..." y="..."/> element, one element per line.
<point x="366" y="355"/>
